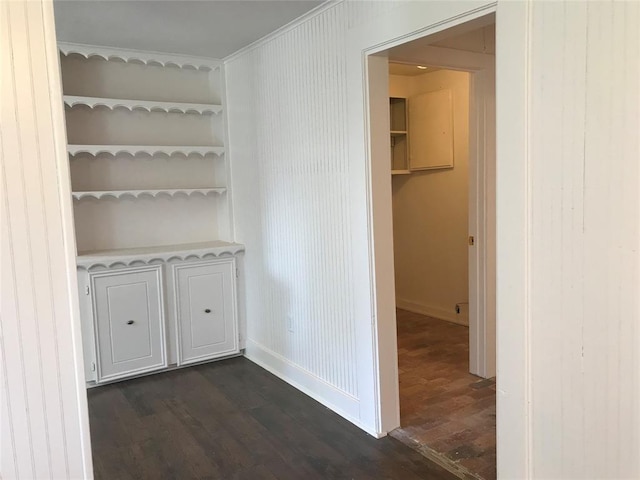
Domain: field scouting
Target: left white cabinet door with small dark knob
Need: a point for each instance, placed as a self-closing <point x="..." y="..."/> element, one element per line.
<point x="129" y="322"/>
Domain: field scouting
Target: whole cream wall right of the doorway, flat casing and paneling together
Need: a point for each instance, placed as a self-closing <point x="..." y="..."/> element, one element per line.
<point x="568" y="206"/>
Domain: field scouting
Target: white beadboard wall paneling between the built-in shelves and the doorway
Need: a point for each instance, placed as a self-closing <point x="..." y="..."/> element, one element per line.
<point x="298" y="269"/>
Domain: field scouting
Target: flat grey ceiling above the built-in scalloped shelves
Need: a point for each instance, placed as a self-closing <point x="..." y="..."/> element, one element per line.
<point x="205" y="28"/>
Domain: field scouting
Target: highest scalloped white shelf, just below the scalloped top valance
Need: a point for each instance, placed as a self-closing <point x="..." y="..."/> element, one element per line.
<point x="148" y="105"/>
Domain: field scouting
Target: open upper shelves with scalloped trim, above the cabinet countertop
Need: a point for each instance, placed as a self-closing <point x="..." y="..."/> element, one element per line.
<point x="150" y="128"/>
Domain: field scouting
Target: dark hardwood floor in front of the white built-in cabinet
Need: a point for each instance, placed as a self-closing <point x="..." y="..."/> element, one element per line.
<point x="233" y="420"/>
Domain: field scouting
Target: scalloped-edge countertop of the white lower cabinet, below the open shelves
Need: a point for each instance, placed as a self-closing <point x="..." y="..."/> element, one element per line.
<point x="145" y="255"/>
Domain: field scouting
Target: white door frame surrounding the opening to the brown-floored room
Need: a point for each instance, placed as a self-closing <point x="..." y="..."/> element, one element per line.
<point x="513" y="224"/>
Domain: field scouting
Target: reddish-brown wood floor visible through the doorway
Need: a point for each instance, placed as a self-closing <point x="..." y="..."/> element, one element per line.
<point x="446" y="413"/>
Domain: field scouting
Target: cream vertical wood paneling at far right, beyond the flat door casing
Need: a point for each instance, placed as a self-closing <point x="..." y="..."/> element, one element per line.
<point x="585" y="210"/>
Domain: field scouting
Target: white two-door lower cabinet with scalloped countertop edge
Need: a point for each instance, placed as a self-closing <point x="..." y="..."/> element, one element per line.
<point x="145" y="309"/>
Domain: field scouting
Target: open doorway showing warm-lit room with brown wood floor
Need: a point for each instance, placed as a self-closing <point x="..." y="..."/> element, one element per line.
<point x="446" y="371"/>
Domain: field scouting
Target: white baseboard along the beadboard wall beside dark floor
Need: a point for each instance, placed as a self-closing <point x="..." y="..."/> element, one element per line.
<point x="340" y="402"/>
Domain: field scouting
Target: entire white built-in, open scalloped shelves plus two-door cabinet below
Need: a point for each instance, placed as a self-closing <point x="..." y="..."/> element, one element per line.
<point x="150" y="178"/>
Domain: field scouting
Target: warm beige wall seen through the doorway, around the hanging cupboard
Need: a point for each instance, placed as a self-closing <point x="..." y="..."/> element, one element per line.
<point x="430" y="213"/>
